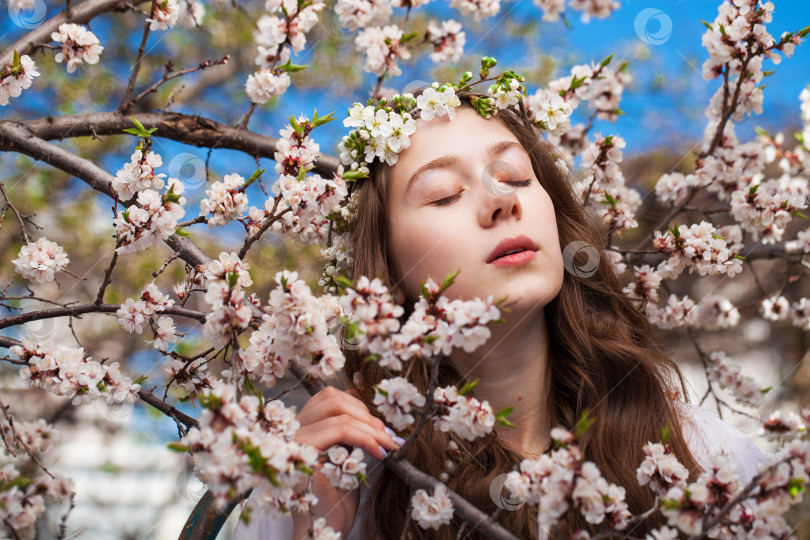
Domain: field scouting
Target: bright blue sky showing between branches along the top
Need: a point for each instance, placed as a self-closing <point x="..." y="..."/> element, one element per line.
<point x="664" y="105"/>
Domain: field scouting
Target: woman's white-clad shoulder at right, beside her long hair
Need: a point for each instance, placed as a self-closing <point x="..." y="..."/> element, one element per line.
<point x="707" y="434"/>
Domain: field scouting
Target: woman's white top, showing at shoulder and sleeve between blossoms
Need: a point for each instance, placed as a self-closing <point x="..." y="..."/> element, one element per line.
<point x="705" y="433"/>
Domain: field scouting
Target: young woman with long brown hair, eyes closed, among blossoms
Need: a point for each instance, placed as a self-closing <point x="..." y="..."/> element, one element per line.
<point x="569" y="343"/>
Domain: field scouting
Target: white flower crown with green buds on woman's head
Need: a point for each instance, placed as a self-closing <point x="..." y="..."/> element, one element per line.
<point x="380" y="131"/>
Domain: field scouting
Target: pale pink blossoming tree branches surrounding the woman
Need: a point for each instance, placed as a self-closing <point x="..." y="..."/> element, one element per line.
<point x="243" y="441"/>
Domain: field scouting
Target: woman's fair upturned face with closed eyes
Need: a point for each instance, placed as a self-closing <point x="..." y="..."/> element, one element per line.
<point x="454" y="213"/>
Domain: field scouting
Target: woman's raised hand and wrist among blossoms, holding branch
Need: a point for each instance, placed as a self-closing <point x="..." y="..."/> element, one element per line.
<point x="333" y="417"/>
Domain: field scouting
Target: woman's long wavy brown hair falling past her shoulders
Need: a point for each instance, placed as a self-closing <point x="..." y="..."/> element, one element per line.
<point x="602" y="357"/>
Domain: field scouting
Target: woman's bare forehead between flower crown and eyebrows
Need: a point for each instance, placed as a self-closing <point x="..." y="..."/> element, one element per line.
<point x="467" y="136"/>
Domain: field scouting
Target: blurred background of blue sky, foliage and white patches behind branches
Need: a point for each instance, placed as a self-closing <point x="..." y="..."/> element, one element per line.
<point x="128" y="484"/>
